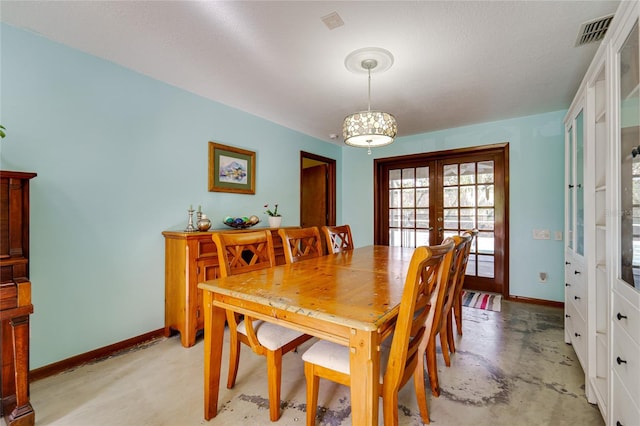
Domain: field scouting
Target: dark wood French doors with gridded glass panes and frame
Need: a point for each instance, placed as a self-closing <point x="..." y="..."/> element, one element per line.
<point x="422" y="199"/>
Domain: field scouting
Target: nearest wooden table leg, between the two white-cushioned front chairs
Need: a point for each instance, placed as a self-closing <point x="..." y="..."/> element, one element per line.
<point x="365" y="373"/>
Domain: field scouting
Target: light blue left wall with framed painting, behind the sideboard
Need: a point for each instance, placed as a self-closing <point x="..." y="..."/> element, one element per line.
<point x="119" y="158"/>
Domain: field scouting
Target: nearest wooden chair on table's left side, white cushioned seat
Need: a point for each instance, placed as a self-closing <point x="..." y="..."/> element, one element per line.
<point x="241" y="252"/>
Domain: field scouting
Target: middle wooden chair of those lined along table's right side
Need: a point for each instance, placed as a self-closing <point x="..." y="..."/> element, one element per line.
<point x="458" y="268"/>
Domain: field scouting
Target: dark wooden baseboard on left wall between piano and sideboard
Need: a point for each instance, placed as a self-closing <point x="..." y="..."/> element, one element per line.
<point x="106" y="351"/>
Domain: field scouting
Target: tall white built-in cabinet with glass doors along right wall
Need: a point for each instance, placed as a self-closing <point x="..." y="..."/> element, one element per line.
<point x="602" y="224"/>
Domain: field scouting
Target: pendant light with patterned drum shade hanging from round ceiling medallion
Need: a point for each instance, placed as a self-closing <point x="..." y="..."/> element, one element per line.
<point x="369" y="129"/>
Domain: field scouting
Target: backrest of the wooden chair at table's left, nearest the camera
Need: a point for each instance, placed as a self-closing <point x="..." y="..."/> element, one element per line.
<point x="240" y="252"/>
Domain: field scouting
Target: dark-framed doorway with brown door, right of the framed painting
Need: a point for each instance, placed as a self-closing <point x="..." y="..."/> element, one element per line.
<point x="317" y="190"/>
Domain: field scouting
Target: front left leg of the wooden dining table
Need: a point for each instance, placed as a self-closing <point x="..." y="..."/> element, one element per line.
<point x="214" y="320"/>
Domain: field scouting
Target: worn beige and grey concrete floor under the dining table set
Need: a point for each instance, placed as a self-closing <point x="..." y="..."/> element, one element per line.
<point x="511" y="368"/>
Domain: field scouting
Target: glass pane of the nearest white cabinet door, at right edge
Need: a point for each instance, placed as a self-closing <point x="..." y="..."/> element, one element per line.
<point x="629" y="122"/>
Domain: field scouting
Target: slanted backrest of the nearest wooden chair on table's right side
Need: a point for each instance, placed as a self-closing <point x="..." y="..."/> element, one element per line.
<point x="428" y="273"/>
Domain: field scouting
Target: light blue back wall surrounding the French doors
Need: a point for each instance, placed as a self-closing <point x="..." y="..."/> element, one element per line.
<point x="536" y="180"/>
